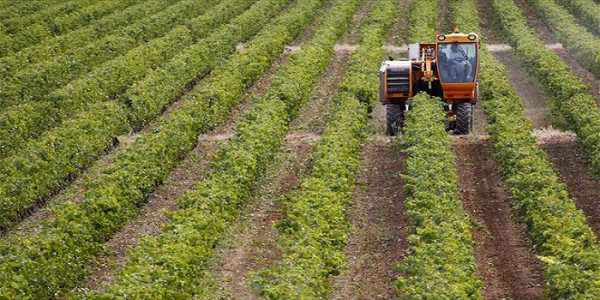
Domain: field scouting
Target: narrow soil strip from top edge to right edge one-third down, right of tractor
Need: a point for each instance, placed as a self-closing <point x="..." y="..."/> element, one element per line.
<point x="548" y="37"/>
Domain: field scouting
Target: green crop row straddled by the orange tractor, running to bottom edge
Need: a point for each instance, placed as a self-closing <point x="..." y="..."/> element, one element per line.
<point x="439" y="263"/>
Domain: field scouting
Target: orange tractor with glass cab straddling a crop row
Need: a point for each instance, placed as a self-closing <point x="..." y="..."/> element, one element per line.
<point x="447" y="69"/>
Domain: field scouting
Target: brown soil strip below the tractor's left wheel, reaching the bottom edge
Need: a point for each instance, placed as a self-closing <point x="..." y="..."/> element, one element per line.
<point x="377" y="240"/>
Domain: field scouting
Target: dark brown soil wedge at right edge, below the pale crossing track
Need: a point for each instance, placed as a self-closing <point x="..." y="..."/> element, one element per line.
<point x="575" y="172"/>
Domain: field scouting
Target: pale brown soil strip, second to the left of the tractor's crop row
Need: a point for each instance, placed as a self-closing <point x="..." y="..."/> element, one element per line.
<point x="253" y="242"/>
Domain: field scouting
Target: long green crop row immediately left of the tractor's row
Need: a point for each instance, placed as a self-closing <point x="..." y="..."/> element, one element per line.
<point x="315" y="228"/>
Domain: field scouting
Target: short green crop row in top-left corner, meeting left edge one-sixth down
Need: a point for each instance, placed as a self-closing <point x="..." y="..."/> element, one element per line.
<point x="62" y="23"/>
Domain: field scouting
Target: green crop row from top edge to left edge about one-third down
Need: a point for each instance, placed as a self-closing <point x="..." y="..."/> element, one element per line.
<point x="36" y="82"/>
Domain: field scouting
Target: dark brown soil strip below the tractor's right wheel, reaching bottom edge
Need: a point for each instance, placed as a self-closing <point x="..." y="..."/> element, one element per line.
<point x="502" y="250"/>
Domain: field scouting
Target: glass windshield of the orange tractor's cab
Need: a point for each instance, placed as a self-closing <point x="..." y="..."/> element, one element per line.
<point x="457" y="62"/>
